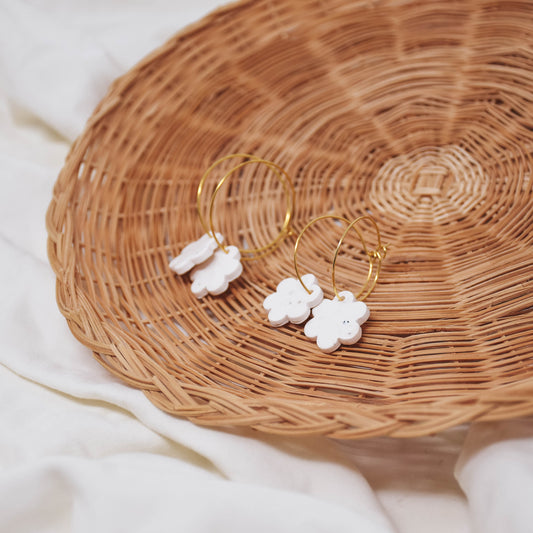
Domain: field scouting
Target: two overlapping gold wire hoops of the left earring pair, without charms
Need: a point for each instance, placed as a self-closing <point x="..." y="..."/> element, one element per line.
<point x="283" y="178"/>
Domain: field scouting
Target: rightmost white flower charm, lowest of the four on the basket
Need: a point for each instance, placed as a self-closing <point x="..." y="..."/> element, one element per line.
<point x="337" y="322"/>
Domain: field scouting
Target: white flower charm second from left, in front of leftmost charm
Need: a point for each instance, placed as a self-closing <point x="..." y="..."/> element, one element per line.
<point x="214" y="275"/>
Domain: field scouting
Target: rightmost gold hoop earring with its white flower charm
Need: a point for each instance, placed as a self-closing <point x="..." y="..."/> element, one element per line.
<point x="338" y="321"/>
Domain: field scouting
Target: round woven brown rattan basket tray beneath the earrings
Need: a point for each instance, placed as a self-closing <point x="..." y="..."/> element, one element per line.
<point x="418" y="113"/>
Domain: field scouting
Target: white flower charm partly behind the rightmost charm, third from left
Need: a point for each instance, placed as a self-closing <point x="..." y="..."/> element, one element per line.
<point x="291" y="302"/>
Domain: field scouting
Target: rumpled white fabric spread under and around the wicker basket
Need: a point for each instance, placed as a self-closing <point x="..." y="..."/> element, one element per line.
<point x="80" y="451"/>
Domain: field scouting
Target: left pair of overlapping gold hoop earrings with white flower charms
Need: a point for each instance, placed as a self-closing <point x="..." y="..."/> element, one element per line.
<point x="212" y="264"/>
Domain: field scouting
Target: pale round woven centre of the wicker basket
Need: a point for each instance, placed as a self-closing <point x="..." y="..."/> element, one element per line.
<point x="427" y="177"/>
